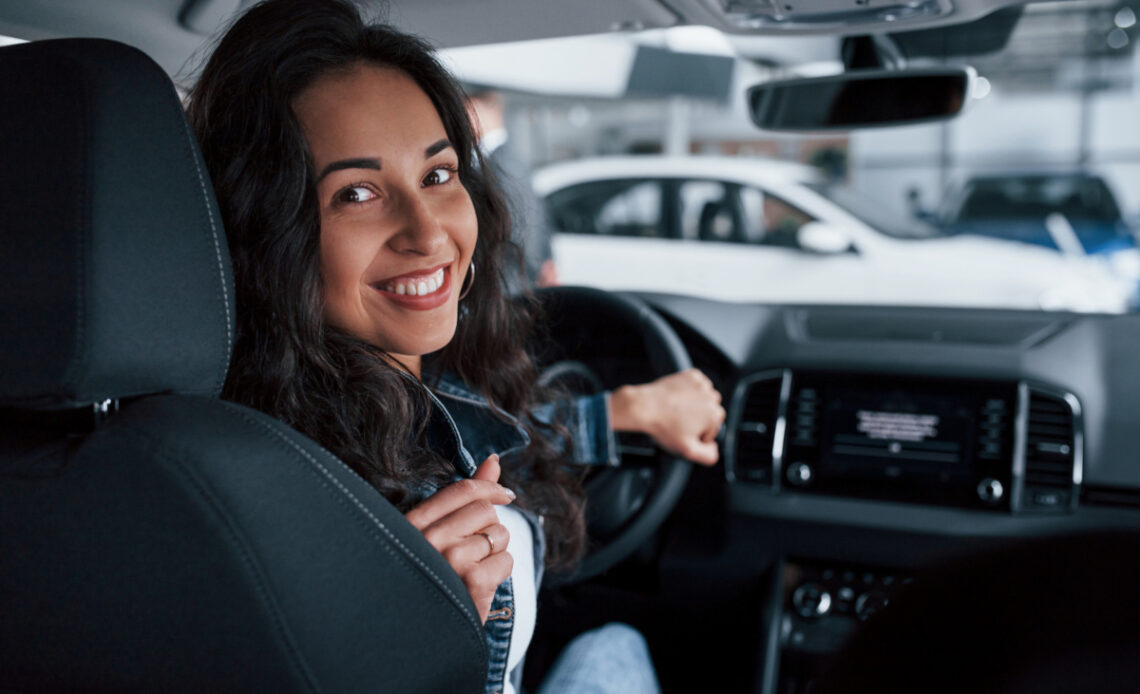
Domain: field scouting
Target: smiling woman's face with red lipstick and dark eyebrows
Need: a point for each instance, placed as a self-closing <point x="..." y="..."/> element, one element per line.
<point x="397" y="227"/>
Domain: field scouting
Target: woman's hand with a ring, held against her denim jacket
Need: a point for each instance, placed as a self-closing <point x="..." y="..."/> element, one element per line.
<point x="460" y="521"/>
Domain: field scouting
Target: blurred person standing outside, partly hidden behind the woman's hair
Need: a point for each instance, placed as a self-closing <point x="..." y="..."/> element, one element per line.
<point x="532" y="231"/>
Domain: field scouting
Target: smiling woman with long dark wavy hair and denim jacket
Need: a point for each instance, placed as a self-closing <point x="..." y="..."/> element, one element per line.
<point x="370" y="256"/>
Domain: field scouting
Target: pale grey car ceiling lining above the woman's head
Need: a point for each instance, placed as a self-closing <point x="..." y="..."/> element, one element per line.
<point x="160" y="28"/>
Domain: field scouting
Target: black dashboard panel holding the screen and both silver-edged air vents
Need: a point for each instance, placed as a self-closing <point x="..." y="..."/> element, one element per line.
<point x="996" y="446"/>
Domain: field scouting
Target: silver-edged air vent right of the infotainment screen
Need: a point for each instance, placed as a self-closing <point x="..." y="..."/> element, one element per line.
<point x="1053" y="455"/>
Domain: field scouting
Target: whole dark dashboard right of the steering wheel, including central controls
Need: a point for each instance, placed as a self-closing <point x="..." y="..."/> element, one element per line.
<point x="866" y="446"/>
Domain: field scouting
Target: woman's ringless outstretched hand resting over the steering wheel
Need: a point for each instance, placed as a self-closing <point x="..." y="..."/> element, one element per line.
<point x="681" y="412"/>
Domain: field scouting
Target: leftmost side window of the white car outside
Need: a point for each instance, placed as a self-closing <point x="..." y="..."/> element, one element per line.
<point x="610" y="208"/>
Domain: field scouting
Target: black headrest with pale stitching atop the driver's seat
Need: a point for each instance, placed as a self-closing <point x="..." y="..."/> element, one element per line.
<point x="115" y="274"/>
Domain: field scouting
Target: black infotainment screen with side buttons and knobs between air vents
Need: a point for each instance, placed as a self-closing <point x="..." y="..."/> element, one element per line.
<point x="923" y="439"/>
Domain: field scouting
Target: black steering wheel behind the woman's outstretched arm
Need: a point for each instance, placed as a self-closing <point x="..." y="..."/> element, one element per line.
<point x="595" y="340"/>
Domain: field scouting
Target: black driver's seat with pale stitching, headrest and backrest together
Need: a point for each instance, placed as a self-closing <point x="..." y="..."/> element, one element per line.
<point x="154" y="538"/>
